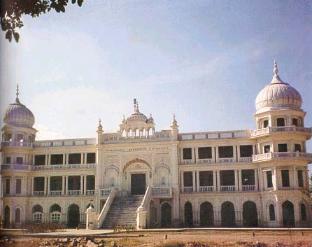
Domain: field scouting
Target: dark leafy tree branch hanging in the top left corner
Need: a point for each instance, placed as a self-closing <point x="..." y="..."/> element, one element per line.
<point x="12" y="10"/>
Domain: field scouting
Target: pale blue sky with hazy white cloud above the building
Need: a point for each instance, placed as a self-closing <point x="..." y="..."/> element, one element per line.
<point x="205" y="61"/>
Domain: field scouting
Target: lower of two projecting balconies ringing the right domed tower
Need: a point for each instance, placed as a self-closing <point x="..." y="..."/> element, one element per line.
<point x="282" y="156"/>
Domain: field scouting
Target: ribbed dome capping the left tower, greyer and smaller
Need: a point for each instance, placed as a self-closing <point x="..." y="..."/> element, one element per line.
<point x="19" y="115"/>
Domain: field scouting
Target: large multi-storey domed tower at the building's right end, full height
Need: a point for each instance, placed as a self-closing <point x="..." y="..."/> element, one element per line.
<point x="281" y="154"/>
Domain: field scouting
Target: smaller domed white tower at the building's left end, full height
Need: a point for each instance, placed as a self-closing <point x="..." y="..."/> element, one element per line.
<point x="18" y="136"/>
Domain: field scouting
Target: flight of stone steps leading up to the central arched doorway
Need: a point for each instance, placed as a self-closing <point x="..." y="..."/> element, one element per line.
<point x="123" y="211"/>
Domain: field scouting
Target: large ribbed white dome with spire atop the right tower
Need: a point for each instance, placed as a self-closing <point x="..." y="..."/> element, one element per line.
<point x="278" y="94"/>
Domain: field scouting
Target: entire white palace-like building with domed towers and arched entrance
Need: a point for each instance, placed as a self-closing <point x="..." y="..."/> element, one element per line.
<point x="148" y="178"/>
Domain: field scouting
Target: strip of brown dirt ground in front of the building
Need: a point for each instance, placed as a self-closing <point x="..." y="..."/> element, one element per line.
<point x="189" y="238"/>
